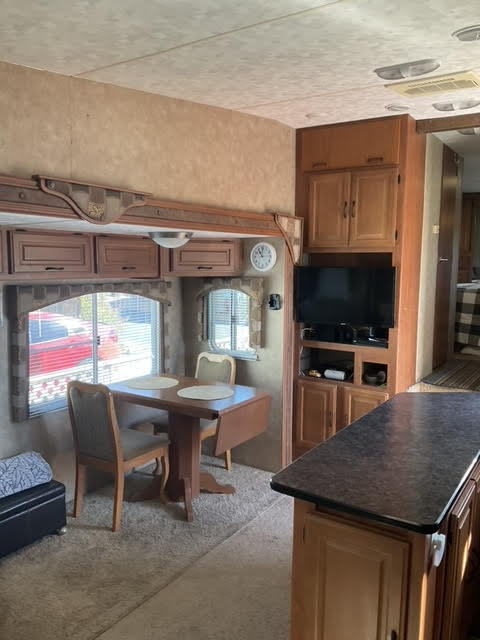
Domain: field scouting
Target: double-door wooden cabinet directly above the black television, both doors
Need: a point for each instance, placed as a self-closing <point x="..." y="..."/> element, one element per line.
<point x="352" y="210"/>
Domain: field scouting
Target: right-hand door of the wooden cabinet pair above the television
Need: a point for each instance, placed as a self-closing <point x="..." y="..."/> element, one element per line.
<point x="373" y="208"/>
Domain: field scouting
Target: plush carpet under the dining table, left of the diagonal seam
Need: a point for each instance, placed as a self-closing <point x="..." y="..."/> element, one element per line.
<point x="78" y="585"/>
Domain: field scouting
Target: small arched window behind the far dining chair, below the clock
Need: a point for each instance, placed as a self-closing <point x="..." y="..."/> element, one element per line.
<point x="228" y="312"/>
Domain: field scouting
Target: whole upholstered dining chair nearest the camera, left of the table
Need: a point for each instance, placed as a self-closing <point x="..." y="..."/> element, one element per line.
<point x="99" y="443"/>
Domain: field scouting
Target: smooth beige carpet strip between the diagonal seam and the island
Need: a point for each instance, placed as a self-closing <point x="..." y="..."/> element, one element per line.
<point x="238" y="591"/>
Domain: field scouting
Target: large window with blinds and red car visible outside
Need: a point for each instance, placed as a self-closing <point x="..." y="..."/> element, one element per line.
<point x="101" y="337"/>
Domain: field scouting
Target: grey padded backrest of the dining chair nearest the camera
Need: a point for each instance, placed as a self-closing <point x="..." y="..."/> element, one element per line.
<point x="94" y="423"/>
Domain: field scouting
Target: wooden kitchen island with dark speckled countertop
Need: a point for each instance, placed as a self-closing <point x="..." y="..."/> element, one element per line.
<point x="387" y="524"/>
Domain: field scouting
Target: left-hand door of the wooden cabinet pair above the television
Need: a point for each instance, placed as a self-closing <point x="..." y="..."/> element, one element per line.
<point x="328" y="210"/>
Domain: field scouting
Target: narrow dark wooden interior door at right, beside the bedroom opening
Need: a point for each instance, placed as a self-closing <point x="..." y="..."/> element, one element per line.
<point x="443" y="296"/>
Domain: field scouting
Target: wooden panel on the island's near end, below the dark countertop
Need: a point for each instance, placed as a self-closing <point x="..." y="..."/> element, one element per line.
<point x="347" y="583"/>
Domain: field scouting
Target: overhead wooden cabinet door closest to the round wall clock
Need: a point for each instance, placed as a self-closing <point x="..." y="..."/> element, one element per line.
<point x="207" y="258"/>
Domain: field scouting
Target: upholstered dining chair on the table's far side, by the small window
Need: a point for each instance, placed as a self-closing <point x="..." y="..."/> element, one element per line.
<point x="211" y="367"/>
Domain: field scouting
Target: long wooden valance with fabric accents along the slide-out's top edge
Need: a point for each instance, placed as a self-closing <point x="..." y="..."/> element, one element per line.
<point x="103" y="205"/>
